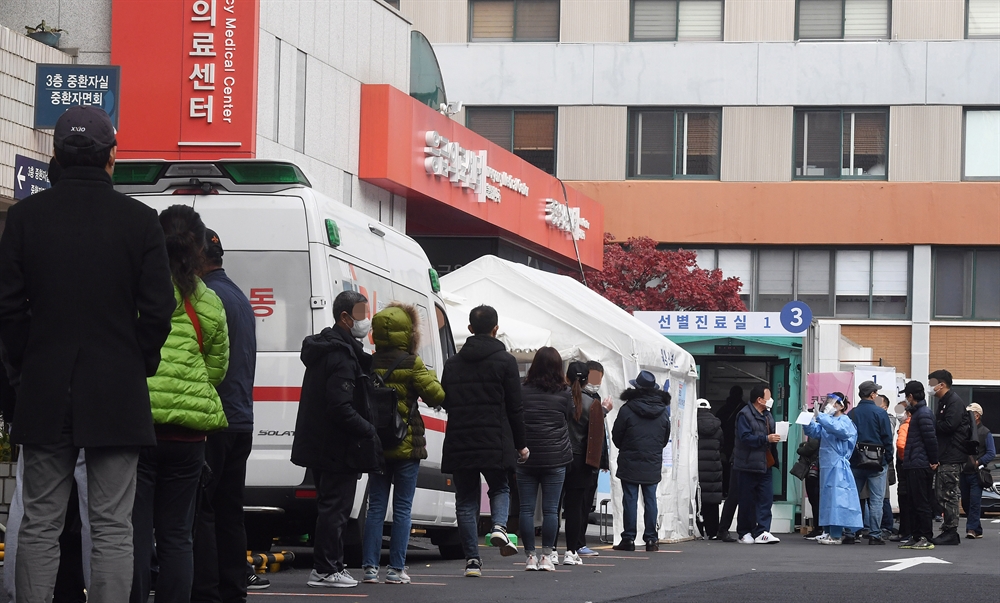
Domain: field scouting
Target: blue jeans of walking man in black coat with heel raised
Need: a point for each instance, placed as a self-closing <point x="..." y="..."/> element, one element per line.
<point x="467" y="495"/>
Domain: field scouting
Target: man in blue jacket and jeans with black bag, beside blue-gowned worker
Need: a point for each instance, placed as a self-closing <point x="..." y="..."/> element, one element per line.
<point x="874" y="429"/>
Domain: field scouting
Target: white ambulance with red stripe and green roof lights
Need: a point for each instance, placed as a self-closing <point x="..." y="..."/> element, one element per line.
<point x="292" y="250"/>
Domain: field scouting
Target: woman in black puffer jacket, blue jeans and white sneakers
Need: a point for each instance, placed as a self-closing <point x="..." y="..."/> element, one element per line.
<point x="548" y="408"/>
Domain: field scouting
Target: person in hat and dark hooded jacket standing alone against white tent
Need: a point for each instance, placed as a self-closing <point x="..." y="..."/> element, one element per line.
<point x="641" y="430"/>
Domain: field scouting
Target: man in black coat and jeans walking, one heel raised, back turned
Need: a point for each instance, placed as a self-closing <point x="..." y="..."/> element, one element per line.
<point x="482" y="390"/>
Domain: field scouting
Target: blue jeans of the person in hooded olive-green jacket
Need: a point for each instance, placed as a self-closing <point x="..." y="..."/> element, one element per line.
<point x="402" y="476"/>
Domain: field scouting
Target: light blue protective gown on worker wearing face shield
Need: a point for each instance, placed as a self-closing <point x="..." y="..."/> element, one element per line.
<point x="838" y="501"/>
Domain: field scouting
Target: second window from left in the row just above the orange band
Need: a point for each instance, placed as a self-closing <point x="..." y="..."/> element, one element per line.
<point x="667" y="143"/>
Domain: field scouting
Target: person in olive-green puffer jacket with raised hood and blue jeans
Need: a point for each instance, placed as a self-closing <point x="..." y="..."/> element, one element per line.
<point x="395" y="331"/>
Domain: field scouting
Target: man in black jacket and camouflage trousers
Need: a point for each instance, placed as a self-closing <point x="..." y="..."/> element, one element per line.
<point x="954" y="428"/>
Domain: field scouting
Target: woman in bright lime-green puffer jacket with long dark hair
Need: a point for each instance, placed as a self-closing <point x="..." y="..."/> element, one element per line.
<point x="186" y="408"/>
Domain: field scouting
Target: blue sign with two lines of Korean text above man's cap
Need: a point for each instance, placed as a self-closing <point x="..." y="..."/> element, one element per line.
<point x="58" y="87"/>
